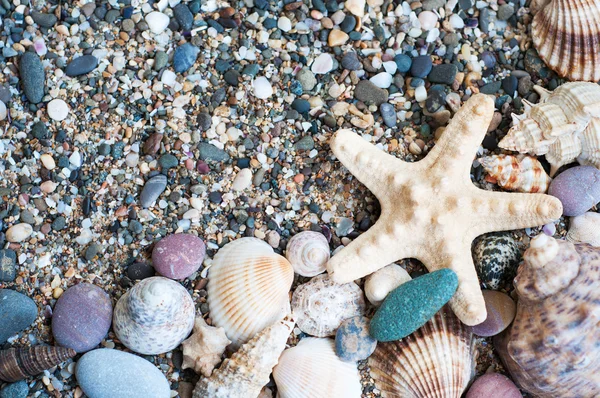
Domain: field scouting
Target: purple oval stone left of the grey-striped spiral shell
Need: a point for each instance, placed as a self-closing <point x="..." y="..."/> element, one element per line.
<point x="82" y="317"/>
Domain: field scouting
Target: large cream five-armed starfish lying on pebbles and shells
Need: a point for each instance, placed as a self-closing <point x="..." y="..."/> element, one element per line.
<point x="430" y="210"/>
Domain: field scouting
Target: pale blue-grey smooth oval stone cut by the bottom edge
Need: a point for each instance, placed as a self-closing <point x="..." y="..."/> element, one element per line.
<point x="107" y="373"/>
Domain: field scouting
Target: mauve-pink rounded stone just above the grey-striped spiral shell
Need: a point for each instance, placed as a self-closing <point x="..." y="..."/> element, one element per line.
<point x="178" y="256"/>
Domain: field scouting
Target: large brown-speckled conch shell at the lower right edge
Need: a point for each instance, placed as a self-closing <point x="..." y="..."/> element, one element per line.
<point x="551" y="349"/>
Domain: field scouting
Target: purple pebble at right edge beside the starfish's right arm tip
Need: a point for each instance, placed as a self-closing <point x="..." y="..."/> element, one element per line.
<point x="577" y="188"/>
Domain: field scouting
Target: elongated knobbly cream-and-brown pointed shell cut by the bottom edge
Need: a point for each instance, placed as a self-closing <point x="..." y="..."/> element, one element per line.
<point x="248" y="370"/>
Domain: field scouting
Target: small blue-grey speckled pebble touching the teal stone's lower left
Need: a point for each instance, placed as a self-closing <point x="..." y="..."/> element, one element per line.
<point x="352" y="340"/>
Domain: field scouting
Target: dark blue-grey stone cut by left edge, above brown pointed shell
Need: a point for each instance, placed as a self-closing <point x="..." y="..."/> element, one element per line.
<point x="17" y="312"/>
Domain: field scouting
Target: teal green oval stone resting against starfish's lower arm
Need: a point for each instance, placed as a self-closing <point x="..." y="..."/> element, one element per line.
<point x="412" y="304"/>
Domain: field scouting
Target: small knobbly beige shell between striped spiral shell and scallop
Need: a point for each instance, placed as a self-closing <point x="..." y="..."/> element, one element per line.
<point x="203" y="350"/>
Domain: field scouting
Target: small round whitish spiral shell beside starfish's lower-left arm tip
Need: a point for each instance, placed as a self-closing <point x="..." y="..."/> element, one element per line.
<point x="308" y="252"/>
